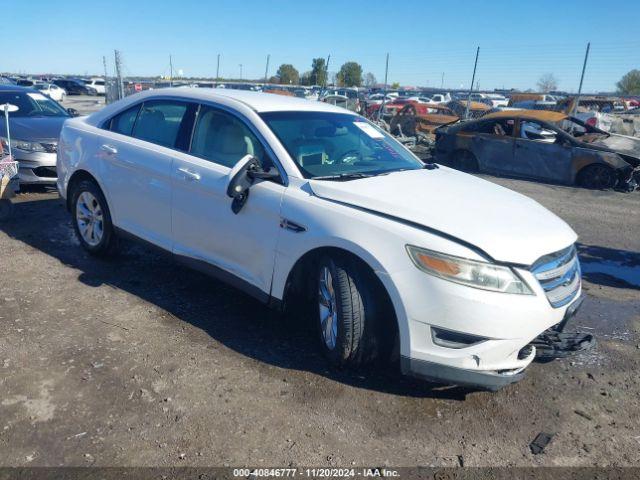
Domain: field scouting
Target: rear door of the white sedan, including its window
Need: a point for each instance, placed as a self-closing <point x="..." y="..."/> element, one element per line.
<point x="138" y="153"/>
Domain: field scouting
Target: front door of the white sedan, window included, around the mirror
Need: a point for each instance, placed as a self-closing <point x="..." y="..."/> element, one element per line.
<point x="204" y="227"/>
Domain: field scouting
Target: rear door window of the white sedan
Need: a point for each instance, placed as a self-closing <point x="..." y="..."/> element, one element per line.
<point x="159" y="122"/>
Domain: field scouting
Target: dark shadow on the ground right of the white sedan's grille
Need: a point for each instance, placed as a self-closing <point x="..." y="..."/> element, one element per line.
<point x="609" y="266"/>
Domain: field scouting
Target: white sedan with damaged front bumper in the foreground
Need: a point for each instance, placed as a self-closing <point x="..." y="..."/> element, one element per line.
<point x="303" y="203"/>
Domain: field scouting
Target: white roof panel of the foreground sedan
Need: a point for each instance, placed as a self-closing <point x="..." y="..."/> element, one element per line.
<point x="258" y="101"/>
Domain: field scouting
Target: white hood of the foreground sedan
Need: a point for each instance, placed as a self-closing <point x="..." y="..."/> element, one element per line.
<point x="506" y="225"/>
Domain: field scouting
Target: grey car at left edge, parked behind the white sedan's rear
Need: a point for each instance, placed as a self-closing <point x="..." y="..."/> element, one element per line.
<point x="35" y="128"/>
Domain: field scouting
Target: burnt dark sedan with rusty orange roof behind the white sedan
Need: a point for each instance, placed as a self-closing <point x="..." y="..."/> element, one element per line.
<point x="541" y="145"/>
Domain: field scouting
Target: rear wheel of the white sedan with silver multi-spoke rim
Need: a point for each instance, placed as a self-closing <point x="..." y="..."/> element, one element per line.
<point x="92" y="219"/>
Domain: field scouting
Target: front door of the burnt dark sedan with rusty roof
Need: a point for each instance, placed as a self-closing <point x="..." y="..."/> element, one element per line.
<point x="540" y="153"/>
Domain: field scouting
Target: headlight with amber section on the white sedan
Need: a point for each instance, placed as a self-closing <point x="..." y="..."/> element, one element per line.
<point x="472" y="273"/>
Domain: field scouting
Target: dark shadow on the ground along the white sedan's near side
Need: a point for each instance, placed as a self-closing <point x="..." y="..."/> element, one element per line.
<point x="227" y="315"/>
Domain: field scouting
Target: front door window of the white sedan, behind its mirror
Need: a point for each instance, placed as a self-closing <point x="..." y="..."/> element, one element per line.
<point x="224" y="139"/>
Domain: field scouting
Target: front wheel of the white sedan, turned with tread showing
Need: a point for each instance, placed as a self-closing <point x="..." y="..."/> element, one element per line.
<point x="354" y="336"/>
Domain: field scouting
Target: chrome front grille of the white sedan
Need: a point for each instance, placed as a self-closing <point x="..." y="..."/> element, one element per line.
<point x="559" y="276"/>
